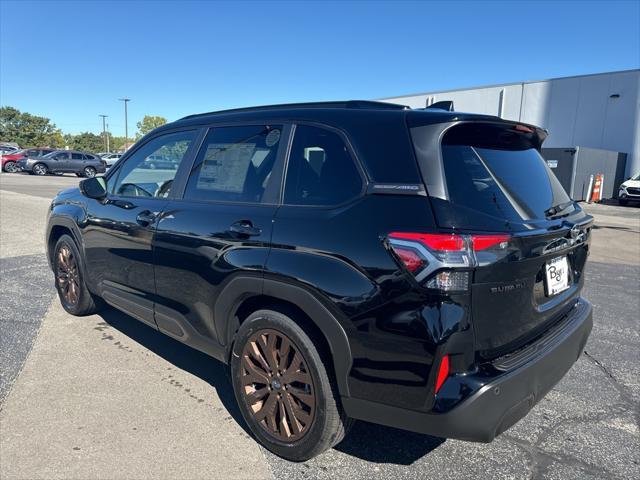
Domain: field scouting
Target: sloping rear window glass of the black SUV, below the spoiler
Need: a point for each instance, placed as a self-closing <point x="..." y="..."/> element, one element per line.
<point x="509" y="184"/>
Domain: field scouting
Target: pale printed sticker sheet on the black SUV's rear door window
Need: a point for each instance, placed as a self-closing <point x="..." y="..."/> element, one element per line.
<point x="225" y="166"/>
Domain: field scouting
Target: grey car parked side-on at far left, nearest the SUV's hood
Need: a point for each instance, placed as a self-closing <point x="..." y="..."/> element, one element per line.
<point x="83" y="164"/>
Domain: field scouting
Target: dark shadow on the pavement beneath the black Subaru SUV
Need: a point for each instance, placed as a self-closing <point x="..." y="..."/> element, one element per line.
<point x="367" y="441"/>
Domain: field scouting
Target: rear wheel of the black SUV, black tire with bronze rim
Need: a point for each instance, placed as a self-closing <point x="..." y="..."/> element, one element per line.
<point x="320" y="423"/>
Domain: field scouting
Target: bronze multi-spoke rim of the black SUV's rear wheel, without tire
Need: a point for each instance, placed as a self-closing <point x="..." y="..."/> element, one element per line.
<point x="278" y="388"/>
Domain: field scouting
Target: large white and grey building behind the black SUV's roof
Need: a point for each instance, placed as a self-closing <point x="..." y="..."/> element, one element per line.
<point x="598" y="111"/>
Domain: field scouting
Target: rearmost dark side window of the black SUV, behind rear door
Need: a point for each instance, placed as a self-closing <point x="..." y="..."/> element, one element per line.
<point x="321" y="170"/>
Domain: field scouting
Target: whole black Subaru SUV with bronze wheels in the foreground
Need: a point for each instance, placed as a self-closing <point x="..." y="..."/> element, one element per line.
<point x="349" y="260"/>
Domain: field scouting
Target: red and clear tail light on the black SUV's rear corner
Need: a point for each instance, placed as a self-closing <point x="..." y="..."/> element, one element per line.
<point x="442" y="261"/>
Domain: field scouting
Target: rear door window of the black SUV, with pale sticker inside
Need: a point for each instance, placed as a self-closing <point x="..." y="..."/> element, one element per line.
<point x="234" y="164"/>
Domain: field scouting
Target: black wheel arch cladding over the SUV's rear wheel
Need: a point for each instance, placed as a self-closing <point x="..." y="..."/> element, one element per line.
<point x="245" y="295"/>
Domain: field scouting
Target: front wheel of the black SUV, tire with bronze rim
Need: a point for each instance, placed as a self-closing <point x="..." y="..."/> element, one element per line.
<point x="69" y="276"/>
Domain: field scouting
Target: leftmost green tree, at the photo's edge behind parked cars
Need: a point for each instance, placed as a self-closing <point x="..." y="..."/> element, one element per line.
<point x="28" y="130"/>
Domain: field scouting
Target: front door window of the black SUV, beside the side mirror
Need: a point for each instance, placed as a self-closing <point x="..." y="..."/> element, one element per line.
<point x="138" y="178"/>
